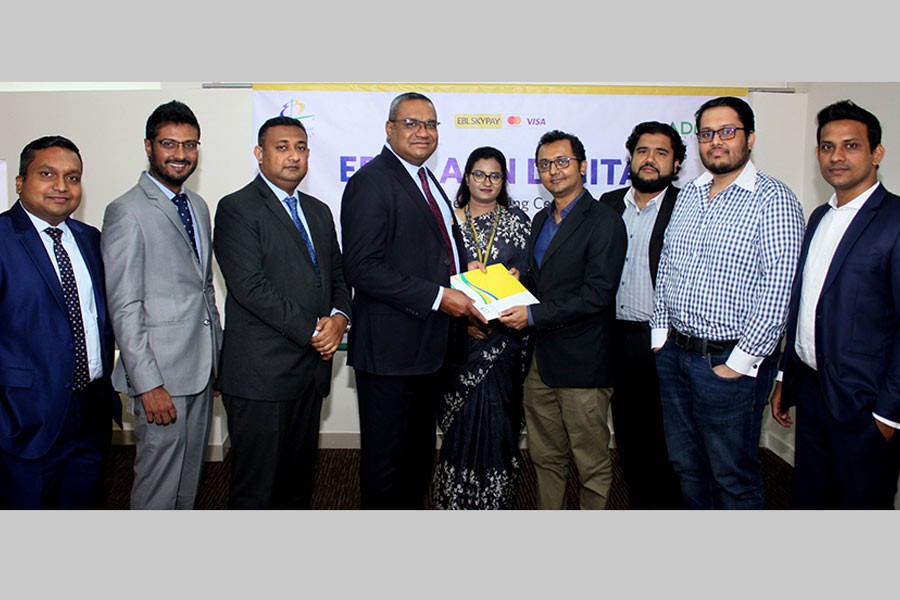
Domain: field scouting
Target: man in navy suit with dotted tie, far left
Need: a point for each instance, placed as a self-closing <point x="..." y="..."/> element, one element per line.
<point x="56" y="344"/>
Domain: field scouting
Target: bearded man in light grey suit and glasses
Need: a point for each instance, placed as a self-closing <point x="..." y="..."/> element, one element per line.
<point x="158" y="256"/>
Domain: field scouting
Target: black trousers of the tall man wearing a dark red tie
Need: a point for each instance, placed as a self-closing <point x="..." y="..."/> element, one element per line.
<point x="397" y="426"/>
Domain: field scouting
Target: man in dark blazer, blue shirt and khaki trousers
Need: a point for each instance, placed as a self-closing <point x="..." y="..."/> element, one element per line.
<point x="576" y="251"/>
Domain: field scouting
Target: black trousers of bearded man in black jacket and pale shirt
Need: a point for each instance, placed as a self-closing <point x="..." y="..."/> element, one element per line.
<point x="637" y="421"/>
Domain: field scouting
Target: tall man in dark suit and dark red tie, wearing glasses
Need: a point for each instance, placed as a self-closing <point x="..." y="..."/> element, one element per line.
<point x="401" y="245"/>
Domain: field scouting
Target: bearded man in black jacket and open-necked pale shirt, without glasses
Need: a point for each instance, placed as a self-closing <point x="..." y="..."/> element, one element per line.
<point x="656" y="153"/>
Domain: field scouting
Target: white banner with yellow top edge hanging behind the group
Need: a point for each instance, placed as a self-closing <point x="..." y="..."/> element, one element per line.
<point x="346" y="127"/>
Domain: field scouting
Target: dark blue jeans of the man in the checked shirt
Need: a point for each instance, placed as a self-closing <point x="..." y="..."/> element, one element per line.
<point x="712" y="426"/>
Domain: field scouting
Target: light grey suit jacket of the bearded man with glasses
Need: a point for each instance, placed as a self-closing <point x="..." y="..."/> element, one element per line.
<point x="161" y="298"/>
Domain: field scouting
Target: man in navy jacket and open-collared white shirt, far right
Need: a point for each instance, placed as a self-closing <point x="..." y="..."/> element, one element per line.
<point x="841" y="366"/>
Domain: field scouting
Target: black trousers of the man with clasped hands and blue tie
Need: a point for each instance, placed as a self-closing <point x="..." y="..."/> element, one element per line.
<point x="274" y="446"/>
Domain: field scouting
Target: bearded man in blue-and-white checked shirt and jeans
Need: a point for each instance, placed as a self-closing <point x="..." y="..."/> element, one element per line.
<point x="722" y="294"/>
